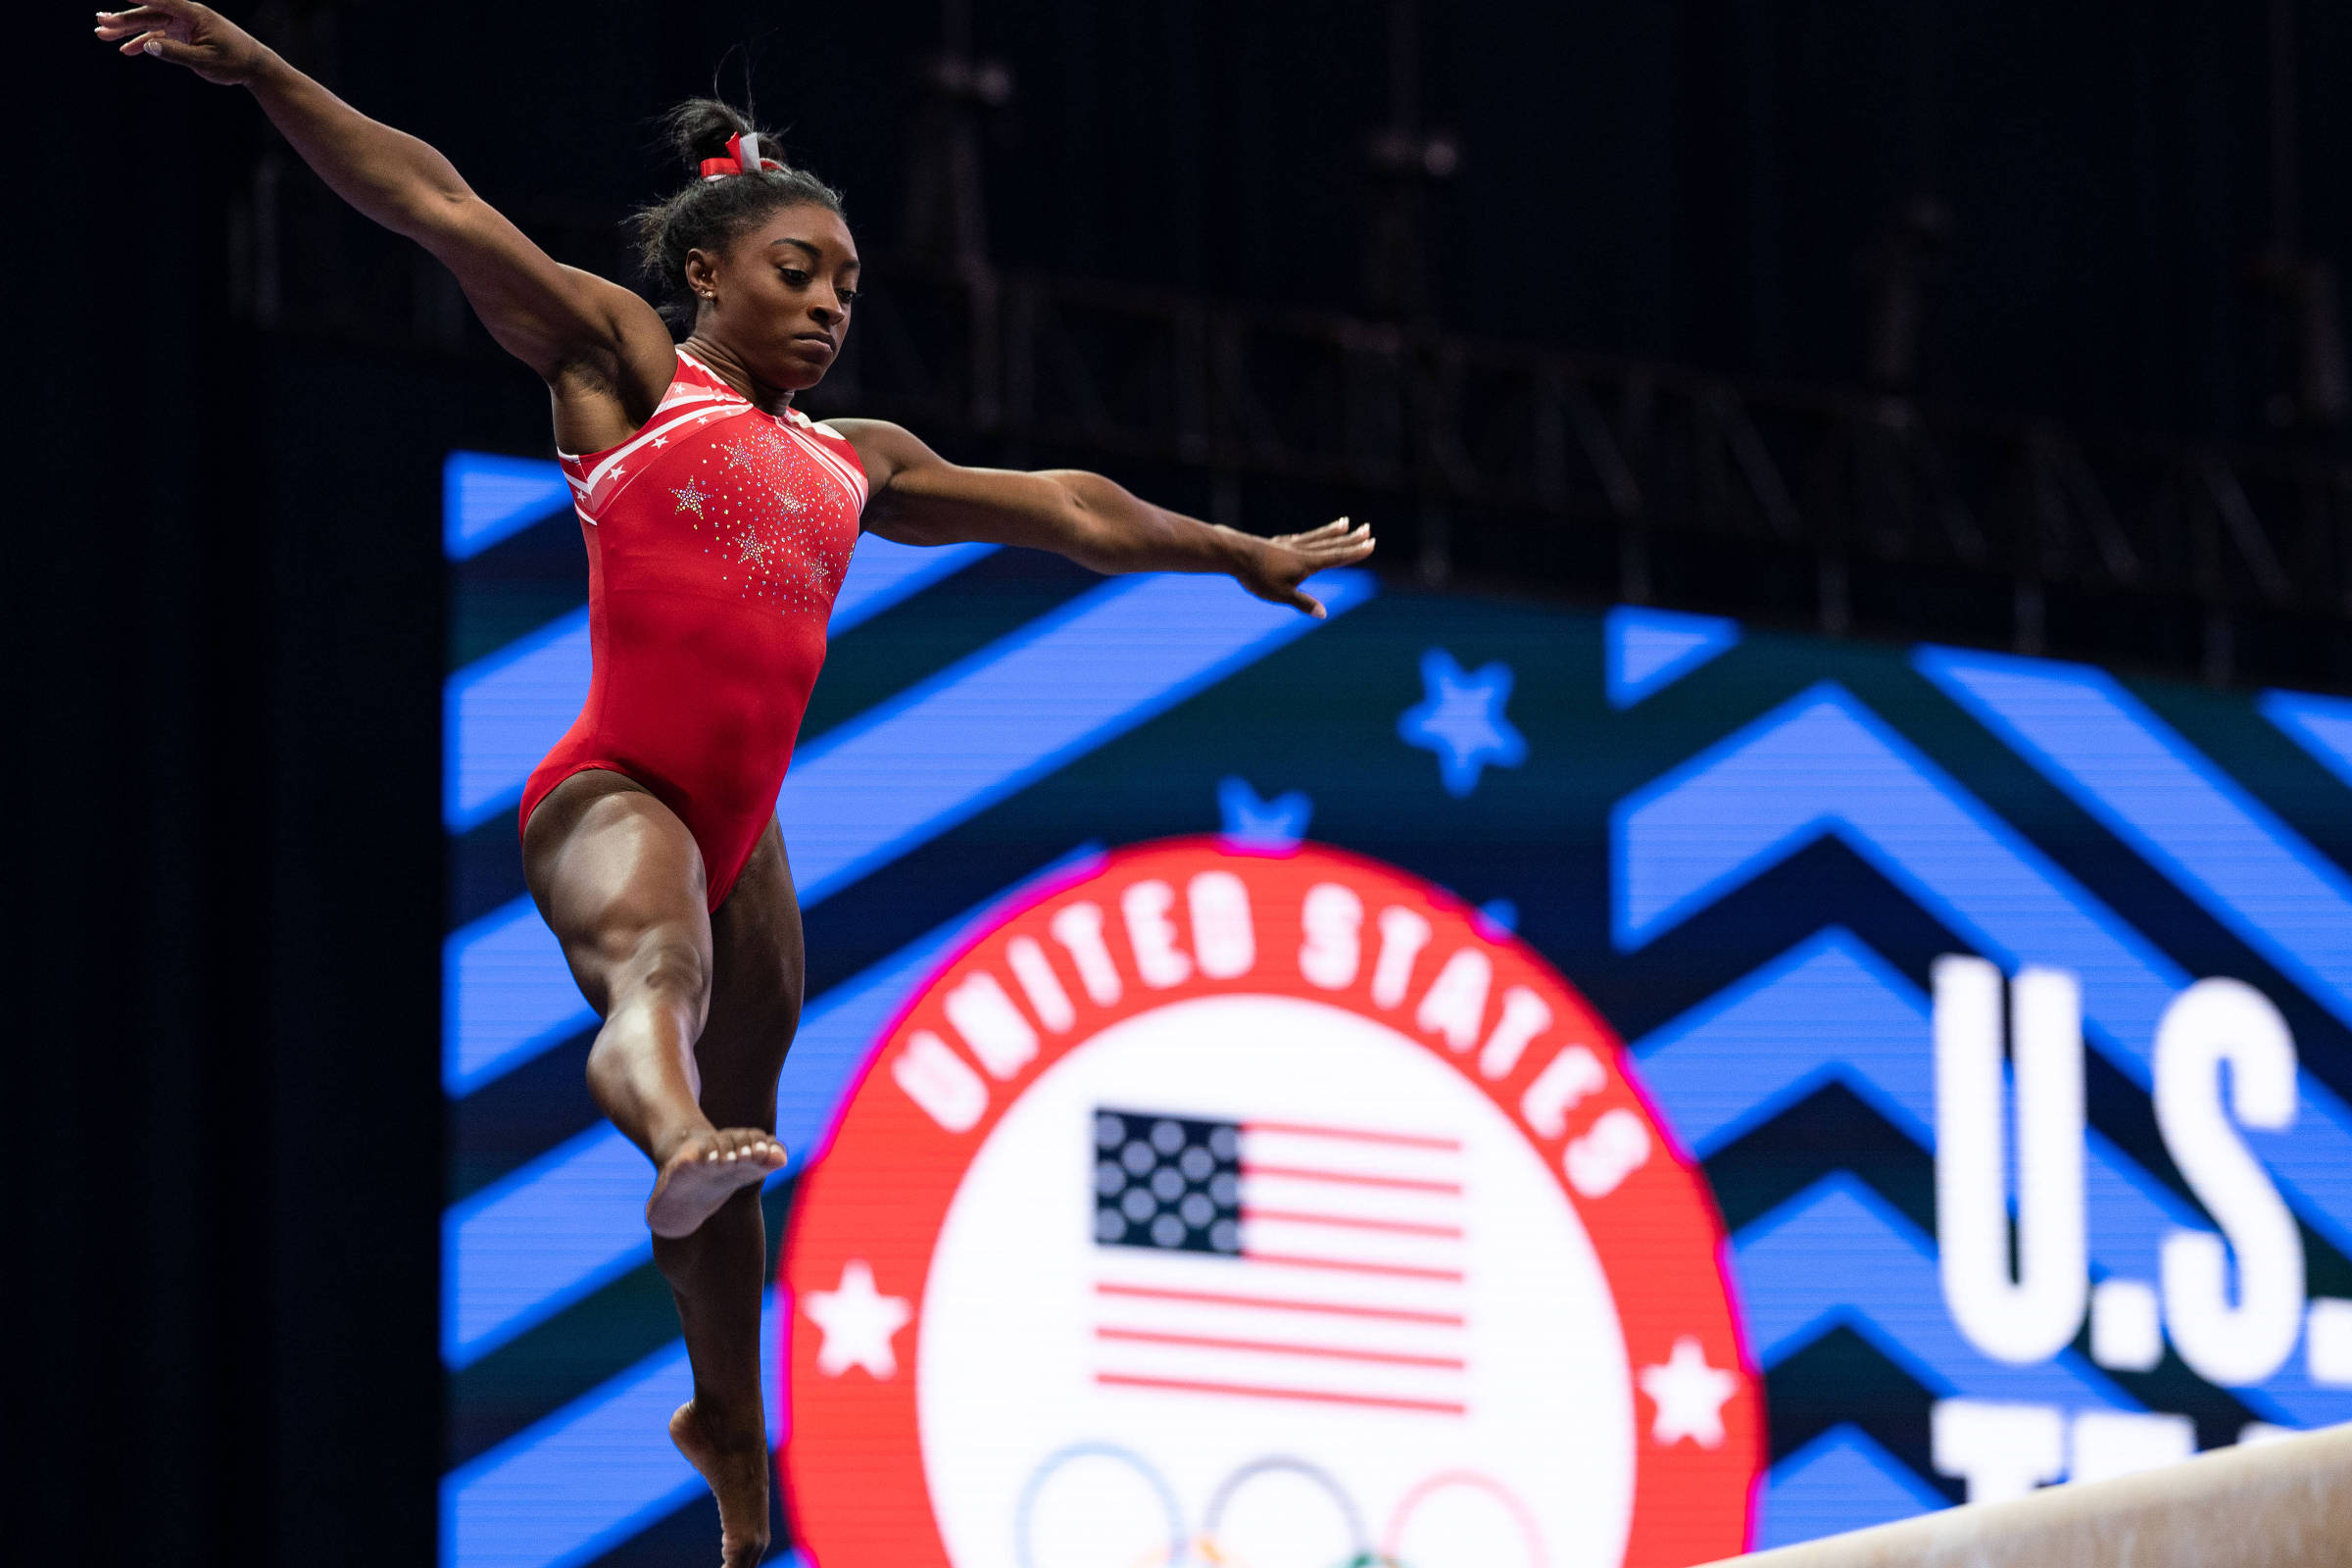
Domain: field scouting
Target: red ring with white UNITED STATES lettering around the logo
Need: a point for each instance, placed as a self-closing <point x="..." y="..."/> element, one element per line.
<point x="883" y="1186"/>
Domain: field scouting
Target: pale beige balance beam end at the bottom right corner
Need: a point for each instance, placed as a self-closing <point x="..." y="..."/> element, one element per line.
<point x="2285" y="1503"/>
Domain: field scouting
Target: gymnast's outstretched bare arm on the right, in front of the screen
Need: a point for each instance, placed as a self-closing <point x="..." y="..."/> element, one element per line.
<point x="923" y="500"/>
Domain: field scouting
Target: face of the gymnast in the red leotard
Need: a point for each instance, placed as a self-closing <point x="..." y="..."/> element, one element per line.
<point x="780" y="297"/>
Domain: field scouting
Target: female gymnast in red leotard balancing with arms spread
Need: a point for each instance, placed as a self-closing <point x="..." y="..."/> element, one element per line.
<point x="719" y="523"/>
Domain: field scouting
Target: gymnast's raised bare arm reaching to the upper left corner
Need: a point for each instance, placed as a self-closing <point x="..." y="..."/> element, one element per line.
<point x="592" y="340"/>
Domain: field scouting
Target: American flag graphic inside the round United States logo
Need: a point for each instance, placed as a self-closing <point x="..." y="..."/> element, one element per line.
<point x="1281" y="1261"/>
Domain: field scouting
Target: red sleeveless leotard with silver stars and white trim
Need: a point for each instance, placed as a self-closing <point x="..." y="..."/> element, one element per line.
<point x="716" y="542"/>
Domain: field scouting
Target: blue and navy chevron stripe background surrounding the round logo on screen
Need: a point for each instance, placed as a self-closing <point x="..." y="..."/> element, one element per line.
<point x="1789" y="838"/>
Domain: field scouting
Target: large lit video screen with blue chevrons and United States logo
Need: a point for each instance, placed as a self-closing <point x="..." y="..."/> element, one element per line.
<point x="1459" y="1085"/>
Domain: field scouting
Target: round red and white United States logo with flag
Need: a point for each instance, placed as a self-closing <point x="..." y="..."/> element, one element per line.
<point x="1269" y="1212"/>
